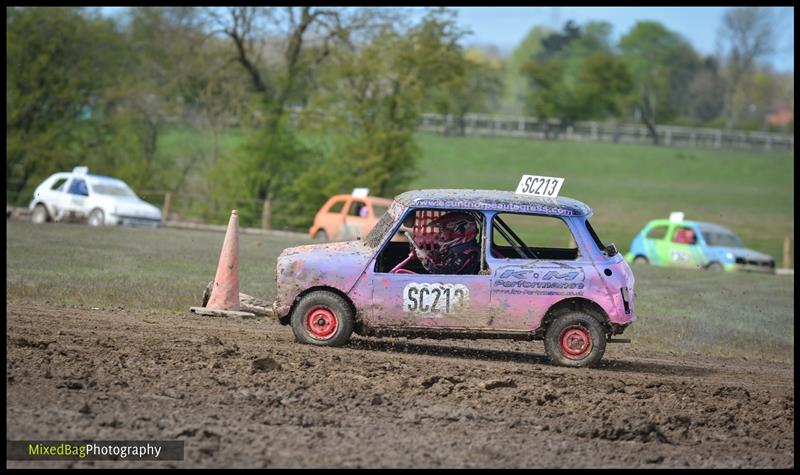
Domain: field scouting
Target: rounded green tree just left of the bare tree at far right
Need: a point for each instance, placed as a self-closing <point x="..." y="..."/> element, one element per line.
<point x="658" y="60"/>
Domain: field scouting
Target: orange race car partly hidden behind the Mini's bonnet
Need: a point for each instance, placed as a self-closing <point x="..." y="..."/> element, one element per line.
<point x="347" y="217"/>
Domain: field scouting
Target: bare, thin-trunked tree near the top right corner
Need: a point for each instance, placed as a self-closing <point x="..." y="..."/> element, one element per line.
<point x="747" y="36"/>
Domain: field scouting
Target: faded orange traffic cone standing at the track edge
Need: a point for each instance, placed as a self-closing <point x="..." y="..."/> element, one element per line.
<point x="224" y="300"/>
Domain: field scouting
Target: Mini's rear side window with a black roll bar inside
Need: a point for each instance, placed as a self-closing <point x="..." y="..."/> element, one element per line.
<point x="519" y="236"/>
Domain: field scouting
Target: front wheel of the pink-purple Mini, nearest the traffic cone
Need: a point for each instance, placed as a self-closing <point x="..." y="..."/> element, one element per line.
<point x="322" y="318"/>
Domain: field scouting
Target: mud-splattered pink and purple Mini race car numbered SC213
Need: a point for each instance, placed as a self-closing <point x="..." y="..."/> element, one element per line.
<point x="470" y="264"/>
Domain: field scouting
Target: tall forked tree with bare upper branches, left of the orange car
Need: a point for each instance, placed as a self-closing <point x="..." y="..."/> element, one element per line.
<point x="275" y="80"/>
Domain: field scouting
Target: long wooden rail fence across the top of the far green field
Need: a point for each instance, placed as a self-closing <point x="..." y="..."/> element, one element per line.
<point x="531" y="127"/>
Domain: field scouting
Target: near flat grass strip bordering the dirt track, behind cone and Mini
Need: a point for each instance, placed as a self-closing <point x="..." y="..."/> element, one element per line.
<point x="679" y="311"/>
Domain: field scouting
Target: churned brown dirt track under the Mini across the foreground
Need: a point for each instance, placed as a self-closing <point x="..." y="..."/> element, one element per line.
<point x="78" y="374"/>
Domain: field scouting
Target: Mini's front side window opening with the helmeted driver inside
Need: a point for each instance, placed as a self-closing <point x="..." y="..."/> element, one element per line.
<point x="443" y="242"/>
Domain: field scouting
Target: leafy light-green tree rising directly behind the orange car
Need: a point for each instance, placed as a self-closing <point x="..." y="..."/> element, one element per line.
<point x="369" y="107"/>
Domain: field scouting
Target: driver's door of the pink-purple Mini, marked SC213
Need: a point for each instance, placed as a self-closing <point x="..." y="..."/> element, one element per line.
<point x="427" y="301"/>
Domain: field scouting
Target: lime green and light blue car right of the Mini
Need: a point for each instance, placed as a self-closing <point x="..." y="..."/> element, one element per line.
<point x="695" y="244"/>
